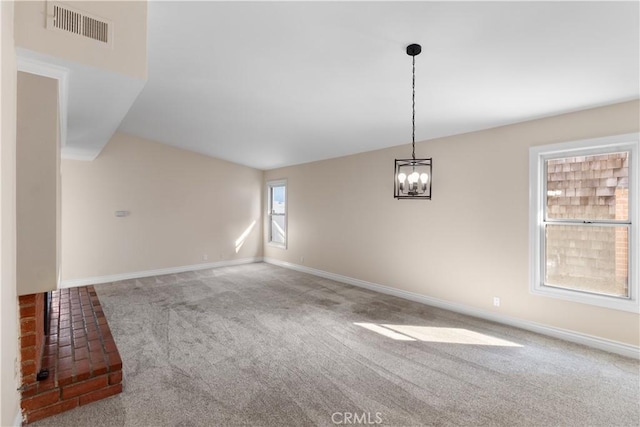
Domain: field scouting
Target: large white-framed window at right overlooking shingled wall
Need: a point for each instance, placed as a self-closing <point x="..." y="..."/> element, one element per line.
<point x="583" y="221"/>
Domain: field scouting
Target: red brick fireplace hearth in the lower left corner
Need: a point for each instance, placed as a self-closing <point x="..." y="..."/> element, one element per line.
<point x="79" y="352"/>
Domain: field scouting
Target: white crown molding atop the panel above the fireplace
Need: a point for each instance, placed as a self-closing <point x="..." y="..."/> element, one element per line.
<point x="28" y="64"/>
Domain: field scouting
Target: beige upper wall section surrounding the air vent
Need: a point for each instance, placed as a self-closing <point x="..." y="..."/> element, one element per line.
<point x="128" y="55"/>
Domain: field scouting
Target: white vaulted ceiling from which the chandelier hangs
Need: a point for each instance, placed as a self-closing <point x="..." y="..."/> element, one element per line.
<point x="270" y="84"/>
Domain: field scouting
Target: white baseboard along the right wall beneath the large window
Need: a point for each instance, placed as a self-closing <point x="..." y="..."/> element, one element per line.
<point x="564" y="334"/>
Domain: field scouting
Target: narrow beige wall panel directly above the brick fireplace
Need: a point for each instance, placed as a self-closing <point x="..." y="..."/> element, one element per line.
<point x="37" y="184"/>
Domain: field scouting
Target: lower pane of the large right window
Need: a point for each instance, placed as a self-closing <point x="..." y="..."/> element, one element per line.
<point x="588" y="258"/>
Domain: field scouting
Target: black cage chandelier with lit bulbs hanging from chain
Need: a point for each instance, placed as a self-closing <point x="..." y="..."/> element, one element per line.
<point x="412" y="177"/>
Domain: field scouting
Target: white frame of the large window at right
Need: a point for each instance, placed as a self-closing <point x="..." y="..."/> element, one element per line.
<point x="537" y="203"/>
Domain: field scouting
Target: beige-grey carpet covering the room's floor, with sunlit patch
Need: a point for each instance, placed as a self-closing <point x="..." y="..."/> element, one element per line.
<point x="265" y="346"/>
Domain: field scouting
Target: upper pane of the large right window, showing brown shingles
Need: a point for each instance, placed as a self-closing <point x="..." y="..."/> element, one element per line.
<point x="588" y="187"/>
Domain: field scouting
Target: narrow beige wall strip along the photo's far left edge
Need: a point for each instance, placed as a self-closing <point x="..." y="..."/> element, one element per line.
<point x="9" y="397"/>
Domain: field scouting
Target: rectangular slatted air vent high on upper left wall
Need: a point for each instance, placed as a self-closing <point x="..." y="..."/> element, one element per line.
<point x="61" y="17"/>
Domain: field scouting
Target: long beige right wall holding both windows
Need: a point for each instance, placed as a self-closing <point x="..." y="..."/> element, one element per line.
<point x="468" y="244"/>
